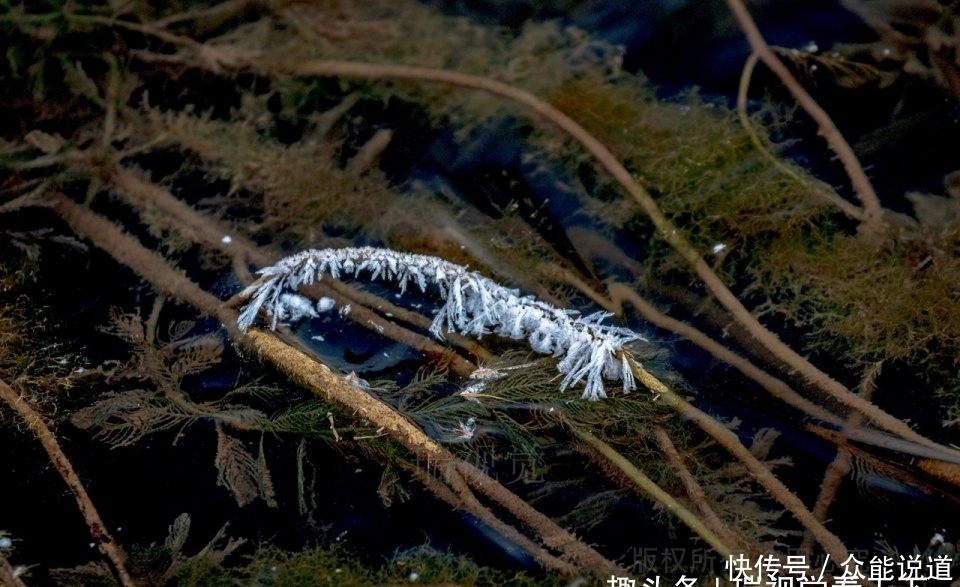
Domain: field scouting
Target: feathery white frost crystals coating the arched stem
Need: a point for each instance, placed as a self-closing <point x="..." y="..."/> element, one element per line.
<point x="473" y="305"/>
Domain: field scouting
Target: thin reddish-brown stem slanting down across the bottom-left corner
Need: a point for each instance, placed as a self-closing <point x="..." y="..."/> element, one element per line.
<point x="98" y="530"/>
